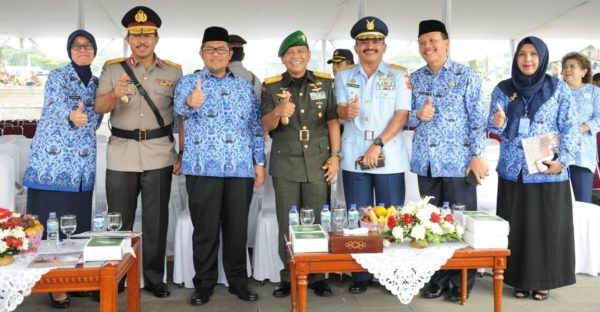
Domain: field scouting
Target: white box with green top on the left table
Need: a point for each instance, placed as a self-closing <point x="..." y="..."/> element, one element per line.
<point x="106" y="248"/>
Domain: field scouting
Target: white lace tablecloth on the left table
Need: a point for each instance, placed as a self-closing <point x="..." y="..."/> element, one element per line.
<point x="16" y="280"/>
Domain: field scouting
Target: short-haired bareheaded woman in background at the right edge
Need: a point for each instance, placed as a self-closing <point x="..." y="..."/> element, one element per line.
<point x="577" y="73"/>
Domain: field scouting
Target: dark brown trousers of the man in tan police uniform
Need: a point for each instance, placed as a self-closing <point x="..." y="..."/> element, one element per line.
<point x="122" y="190"/>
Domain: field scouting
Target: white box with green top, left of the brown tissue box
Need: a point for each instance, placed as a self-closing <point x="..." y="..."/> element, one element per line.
<point x="309" y="238"/>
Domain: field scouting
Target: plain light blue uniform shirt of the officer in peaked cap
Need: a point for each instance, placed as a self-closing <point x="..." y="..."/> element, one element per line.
<point x="380" y="96"/>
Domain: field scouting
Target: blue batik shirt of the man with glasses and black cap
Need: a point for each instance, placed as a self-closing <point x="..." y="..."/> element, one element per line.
<point x="224" y="136"/>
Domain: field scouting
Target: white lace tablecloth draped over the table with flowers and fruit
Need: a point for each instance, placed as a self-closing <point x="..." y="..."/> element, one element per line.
<point x="404" y="270"/>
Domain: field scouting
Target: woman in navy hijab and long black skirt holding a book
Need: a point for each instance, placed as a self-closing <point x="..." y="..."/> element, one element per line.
<point x="537" y="205"/>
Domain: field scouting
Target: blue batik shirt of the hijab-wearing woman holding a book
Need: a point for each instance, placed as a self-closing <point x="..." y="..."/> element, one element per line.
<point x="558" y="114"/>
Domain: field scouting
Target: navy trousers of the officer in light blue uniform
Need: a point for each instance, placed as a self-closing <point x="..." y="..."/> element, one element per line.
<point x="358" y="189"/>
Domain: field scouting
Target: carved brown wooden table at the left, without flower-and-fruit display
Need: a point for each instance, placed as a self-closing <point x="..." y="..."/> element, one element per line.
<point x="104" y="279"/>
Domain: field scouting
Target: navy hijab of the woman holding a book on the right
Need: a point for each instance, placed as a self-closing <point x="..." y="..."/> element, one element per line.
<point x="537" y="88"/>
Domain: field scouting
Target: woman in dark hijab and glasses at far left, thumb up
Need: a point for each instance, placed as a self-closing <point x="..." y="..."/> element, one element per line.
<point x="61" y="172"/>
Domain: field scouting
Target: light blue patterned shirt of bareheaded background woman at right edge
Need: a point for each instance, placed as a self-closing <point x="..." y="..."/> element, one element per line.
<point x="587" y="103"/>
